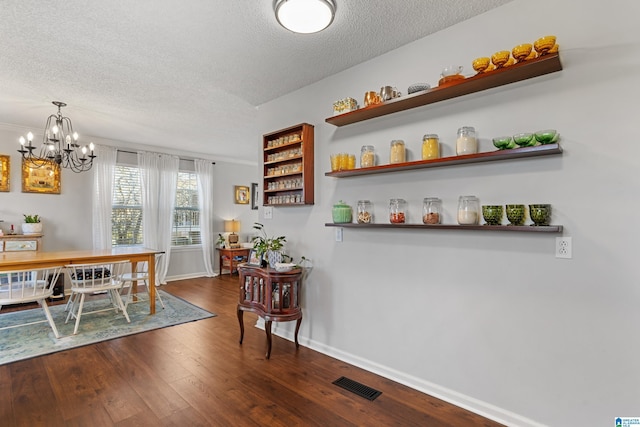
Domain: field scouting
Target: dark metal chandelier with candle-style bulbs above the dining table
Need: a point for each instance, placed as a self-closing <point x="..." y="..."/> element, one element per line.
<point x="59" y="145"/>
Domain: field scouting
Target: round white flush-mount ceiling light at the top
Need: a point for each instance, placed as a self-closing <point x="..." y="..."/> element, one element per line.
<point x="305" y="16"/>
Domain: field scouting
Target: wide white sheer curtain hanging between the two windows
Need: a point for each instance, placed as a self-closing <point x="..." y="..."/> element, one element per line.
<point x="158" y="179"/>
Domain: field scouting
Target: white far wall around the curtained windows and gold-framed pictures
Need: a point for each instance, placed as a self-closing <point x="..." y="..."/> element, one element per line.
<point x="67" y="218"/>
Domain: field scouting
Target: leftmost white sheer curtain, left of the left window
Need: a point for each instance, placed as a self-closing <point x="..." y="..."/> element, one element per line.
<point x="103" y="173"/>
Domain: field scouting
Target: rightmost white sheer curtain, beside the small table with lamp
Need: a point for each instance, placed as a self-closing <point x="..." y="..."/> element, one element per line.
<point x="204" y="175"/>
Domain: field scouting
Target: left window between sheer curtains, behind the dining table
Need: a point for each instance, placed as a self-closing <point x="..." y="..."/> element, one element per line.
<point x="126" y="211"/>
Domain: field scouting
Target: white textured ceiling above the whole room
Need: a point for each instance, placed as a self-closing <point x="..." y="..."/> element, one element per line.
<point x="187" y="73"/>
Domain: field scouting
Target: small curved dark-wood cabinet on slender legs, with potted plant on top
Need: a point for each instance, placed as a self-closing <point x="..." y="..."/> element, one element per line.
<point x="272" y="295"/>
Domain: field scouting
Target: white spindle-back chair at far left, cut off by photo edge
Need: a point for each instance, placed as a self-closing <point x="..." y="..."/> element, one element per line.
<point x="31" y="285"/>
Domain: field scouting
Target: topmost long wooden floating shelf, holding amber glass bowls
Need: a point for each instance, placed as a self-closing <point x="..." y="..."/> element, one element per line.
<point x="546" y="64"/>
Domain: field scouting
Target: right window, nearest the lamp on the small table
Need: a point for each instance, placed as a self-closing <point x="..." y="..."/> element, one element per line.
<point x="186" y="216"/>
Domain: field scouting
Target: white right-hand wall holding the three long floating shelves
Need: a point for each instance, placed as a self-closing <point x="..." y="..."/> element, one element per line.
<point x="490" y="321"/>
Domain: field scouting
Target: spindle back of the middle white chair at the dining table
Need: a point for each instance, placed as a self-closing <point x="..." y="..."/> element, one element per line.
<point x="95" y="276"/>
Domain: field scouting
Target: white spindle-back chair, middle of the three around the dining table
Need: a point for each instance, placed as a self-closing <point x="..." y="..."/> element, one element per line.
<point x="94" y="279"/>
